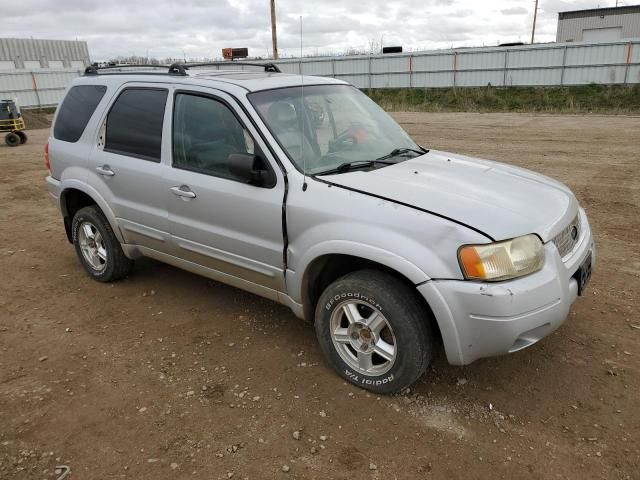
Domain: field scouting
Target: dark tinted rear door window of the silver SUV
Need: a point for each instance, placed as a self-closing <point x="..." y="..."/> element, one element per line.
<point x="134" y="123"/>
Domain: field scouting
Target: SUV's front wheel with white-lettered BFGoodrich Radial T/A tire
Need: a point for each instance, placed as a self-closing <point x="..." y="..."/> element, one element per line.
<point x="374" y="331"/>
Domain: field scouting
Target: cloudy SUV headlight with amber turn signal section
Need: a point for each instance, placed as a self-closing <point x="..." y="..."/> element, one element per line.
<point x="502" y="260"/>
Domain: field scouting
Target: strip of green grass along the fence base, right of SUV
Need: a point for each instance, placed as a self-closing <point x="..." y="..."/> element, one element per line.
<point x="594" y="98"/>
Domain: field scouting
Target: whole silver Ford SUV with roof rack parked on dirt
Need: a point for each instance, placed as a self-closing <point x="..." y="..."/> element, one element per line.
<point x="304" y="191"/>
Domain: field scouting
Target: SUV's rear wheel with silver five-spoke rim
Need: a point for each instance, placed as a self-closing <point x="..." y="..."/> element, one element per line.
<point x="97" y="247"/>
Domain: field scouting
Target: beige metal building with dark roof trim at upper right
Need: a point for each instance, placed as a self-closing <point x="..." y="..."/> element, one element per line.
<point x="599" y="24"/>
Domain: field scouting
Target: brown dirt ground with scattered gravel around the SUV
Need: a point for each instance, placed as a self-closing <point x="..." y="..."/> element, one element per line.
<point x="170" y="375"/>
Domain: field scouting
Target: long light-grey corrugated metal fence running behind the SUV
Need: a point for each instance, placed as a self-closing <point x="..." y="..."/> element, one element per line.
<point x="539" y="65"/>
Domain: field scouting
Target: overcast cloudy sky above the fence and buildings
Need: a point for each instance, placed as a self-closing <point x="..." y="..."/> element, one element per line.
<point x="201" y="28"/>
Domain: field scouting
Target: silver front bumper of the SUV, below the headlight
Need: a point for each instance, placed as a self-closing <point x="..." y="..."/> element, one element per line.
<point x="481" y="319"/>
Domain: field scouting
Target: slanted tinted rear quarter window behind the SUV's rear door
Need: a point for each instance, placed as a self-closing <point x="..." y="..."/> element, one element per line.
<point x="76" y="110"/>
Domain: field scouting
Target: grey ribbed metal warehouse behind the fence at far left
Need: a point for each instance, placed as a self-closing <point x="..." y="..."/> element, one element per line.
<point x="29" y="54"/>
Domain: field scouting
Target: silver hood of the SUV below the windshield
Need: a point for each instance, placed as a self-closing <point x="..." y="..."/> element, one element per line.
<point x="499" y="200"/>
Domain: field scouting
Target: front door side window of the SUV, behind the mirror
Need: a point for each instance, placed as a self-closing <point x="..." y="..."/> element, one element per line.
<point x="205" y="133"/>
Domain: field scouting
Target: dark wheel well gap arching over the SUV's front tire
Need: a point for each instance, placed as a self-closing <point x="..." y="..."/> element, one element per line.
<point x="326" y="269"/>
